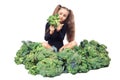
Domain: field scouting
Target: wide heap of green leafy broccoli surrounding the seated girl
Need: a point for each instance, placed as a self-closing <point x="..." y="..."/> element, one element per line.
<point x="88" y="55"/>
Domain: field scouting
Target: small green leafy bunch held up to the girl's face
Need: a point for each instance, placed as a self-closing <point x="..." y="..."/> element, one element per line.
<point x="53" y="20"/>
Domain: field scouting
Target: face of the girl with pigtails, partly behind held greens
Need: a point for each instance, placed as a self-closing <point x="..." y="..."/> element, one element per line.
<point x="63" y="14"/>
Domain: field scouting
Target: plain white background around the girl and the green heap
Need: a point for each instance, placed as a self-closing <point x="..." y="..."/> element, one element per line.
<point x="26" y="19"/>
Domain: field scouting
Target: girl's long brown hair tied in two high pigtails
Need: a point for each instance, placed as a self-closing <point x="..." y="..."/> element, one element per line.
<point x="70" y="22"/>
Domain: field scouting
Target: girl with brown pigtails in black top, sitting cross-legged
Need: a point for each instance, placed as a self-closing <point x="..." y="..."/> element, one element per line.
<point x="55" y="36"/>
